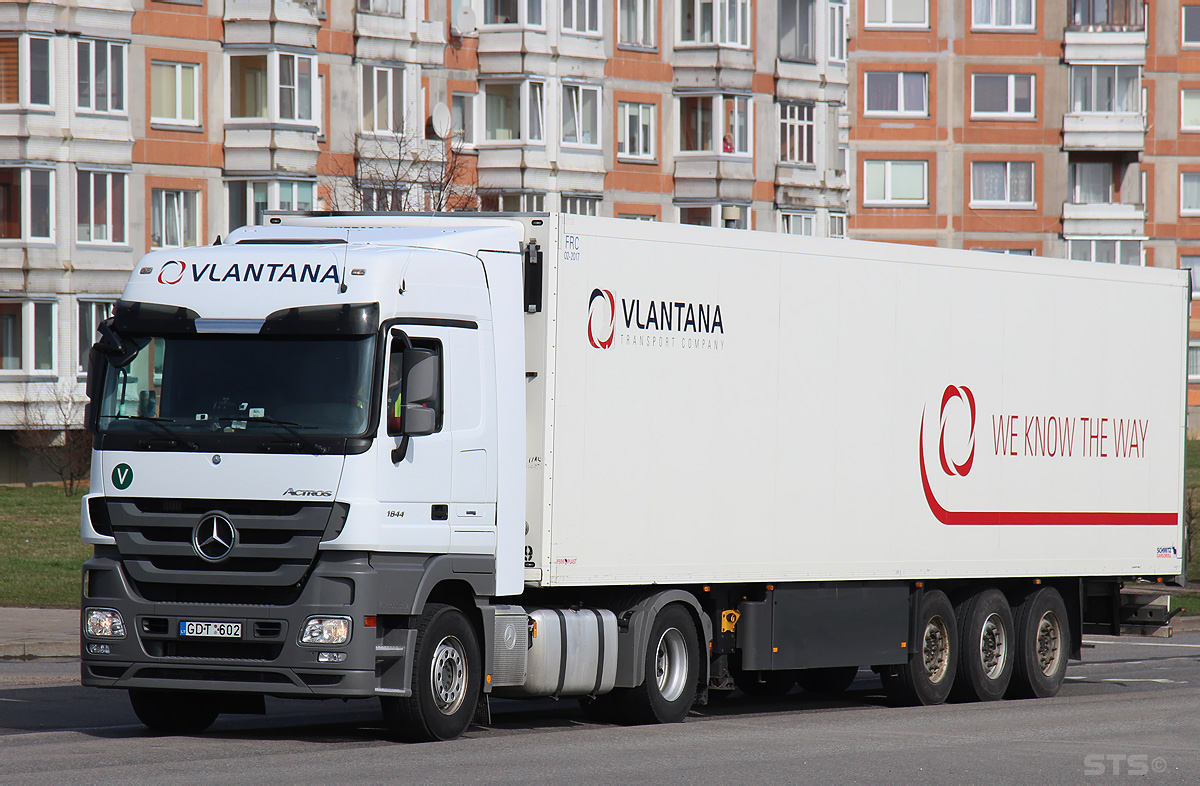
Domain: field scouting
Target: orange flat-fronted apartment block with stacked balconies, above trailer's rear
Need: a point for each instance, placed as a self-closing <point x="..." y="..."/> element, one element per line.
<point x="1057" y="128"/>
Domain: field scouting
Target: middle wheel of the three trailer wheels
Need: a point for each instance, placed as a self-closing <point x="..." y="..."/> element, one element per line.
<point x="988" y="647"/>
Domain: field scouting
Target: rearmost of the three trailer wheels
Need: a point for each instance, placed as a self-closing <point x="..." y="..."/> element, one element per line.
<point x="1043" y="639"/>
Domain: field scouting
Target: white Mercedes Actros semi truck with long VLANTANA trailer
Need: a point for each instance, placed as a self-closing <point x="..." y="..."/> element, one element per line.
<point x="441" y="459"/>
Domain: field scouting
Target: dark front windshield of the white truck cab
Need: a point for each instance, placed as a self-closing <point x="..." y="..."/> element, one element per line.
<point x="193" y="385"/>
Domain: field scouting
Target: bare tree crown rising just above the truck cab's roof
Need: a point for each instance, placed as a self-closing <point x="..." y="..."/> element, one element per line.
<point x="401" y="173"/>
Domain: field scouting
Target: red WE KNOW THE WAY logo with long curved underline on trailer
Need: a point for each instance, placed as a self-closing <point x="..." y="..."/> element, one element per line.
<point x="1037" y="447"/>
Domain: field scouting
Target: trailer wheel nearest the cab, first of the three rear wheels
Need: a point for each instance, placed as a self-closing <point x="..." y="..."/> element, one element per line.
<point x="928" y="676"/>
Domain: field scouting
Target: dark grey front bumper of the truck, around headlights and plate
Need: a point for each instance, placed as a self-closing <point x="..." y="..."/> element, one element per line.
<point x="267" y="659"/>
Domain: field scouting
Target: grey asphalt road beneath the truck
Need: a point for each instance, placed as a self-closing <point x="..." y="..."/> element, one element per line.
<point x="1130" y="711"/>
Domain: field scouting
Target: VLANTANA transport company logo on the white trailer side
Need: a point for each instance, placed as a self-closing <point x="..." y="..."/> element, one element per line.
<point x="656" y="323"/>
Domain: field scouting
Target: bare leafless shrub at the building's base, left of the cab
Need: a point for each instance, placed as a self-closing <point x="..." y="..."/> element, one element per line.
<point x="51" y="431"/>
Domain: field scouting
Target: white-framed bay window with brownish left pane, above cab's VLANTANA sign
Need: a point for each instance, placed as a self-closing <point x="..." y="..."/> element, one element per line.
<point x="253" y="79"/>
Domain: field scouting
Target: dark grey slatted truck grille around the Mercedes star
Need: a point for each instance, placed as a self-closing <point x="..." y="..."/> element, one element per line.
<point x="274" y="547"/>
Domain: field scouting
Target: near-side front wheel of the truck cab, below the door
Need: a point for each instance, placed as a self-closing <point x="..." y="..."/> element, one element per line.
<point x="447" y="671"/>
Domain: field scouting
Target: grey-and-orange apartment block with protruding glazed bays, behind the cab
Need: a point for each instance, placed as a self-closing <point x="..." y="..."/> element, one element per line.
<point x="134" y="125"/>
